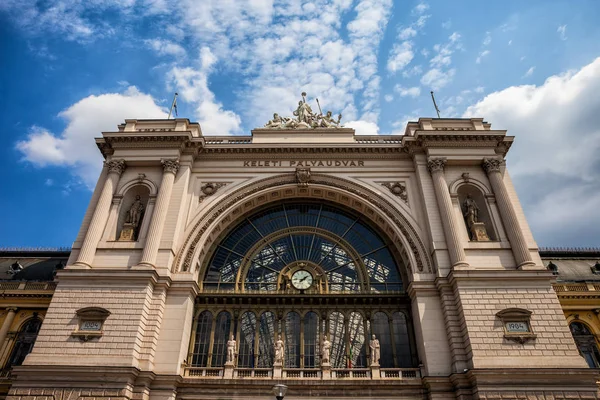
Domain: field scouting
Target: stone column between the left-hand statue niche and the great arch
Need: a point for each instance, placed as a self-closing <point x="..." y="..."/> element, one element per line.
<point x="160" y="212"/>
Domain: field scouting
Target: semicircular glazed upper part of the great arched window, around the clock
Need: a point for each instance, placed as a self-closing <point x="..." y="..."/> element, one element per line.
<point x="341" y="250"/>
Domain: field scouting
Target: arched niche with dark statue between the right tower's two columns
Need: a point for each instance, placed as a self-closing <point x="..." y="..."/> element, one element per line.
<point x="475" y="214"/>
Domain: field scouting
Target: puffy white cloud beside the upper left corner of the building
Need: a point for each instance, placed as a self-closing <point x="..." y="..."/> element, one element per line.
<point x="75" y="145"/>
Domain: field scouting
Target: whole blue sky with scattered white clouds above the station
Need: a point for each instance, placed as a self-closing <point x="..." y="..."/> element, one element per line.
<point x="71" y="69"/>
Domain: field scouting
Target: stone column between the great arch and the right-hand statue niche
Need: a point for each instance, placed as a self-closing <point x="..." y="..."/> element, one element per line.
<point x="451" y="231"/>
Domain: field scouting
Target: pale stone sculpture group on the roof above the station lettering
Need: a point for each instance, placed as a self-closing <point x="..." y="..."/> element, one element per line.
<point x="304" y="118"/>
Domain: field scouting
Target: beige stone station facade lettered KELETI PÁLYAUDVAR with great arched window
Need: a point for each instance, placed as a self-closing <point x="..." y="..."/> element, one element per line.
<point x="343" y="266"/>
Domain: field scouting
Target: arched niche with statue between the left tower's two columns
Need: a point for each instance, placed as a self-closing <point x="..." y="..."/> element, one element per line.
<point x="132" y="212"/>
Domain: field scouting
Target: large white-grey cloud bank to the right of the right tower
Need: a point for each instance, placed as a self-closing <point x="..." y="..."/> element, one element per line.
<point x="557" y="131"/>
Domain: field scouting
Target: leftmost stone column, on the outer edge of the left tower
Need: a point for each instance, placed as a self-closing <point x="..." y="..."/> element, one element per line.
<point x="98" y="222"/>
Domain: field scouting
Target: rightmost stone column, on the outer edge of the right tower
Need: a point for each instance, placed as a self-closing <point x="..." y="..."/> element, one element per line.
<point x="508" y="214"/>
